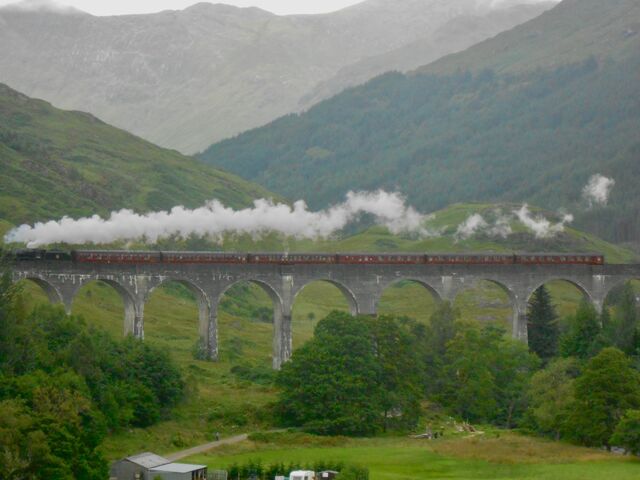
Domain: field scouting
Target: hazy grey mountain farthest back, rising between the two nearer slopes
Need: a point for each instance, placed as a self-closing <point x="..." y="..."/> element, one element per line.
<point x="184" y="79"/>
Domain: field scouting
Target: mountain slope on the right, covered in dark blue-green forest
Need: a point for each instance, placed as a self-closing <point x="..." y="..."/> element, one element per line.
<point x="525" y="126"/>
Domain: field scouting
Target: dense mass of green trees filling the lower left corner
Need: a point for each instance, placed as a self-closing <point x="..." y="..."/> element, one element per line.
<point x="64" y="386"/>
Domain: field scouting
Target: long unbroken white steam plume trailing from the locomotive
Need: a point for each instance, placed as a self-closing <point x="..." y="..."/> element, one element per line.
<point x="214" y="219"/>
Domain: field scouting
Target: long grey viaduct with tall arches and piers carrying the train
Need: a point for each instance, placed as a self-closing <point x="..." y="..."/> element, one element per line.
<point x="362" y="286"/>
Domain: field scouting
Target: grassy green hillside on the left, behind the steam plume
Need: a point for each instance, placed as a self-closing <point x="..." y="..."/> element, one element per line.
<point x="55" y="163"/>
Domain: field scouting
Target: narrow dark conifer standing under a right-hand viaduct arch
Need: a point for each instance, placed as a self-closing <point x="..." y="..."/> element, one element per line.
<point x="543" y="325"/>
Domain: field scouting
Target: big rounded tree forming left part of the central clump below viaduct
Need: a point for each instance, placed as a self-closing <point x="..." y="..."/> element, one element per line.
<point x="332" y="384"/>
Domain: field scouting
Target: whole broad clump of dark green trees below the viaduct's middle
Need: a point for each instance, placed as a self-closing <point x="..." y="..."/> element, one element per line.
<point x="357" y="376"/>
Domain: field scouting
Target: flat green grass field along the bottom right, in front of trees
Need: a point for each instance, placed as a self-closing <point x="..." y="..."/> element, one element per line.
<point x="493" y="455"/>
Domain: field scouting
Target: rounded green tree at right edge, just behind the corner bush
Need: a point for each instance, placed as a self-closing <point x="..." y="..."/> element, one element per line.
<point x="608" y="387"/>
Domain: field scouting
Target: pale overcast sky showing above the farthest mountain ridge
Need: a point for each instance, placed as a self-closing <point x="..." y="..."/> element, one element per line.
<point x="118" y="7"/>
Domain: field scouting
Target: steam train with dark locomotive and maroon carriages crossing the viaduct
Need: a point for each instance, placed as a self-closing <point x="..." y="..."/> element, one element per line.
<point x="158" y="257"/>
